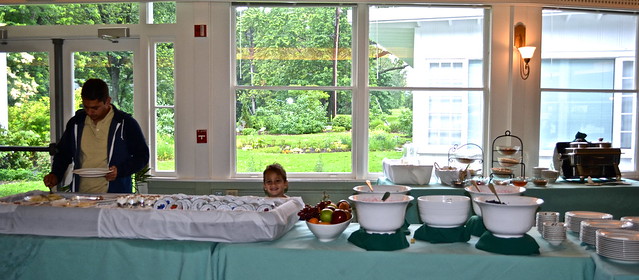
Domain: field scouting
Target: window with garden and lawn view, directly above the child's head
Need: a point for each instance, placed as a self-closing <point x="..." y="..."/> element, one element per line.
<point x="293" y="88"/>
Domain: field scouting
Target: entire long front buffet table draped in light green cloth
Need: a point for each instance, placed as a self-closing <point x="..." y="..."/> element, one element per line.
<point x="297" y="255"/>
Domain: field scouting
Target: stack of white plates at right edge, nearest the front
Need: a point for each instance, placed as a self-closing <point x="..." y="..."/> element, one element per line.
<point x="618" y="244"/>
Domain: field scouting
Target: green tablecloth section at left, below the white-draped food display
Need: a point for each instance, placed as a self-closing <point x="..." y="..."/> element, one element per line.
<point x="43" y="257"/>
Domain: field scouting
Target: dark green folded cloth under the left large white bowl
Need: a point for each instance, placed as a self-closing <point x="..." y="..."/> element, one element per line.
<point x="379" y="242"/>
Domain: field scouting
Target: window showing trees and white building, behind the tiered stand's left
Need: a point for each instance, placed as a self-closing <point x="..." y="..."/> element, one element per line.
<point x="429" y="94"/>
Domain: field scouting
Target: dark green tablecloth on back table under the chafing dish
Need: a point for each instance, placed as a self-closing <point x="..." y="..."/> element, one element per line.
<point x="618" y="200"/>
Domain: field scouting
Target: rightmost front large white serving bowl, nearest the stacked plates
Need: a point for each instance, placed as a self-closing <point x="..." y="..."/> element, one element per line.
<point x="512" y="219"/>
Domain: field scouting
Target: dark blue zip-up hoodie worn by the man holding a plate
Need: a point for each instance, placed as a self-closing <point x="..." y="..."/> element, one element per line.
<point x="126" y="149"/>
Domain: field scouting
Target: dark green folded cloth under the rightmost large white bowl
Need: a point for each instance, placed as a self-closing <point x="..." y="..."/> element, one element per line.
<point x="525" y="245"/>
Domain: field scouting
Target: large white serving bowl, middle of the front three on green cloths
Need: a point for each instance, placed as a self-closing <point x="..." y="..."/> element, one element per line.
<point x="444" y="211"/>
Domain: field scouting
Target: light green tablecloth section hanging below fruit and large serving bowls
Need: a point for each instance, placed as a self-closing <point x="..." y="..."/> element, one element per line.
<point x="299" y="255"/>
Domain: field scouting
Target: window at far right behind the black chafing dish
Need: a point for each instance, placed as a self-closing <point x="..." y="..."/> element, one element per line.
<point x="588" y="87"/>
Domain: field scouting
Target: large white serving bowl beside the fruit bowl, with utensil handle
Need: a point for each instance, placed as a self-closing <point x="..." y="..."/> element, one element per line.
<point x="380" y="217"/>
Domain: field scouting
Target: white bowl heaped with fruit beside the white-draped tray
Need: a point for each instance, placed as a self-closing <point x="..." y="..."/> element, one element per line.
<point x="327" y="220"/>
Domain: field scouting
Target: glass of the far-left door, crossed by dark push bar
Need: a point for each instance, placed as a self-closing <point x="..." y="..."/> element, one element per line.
<point x="24" y="113"/>
